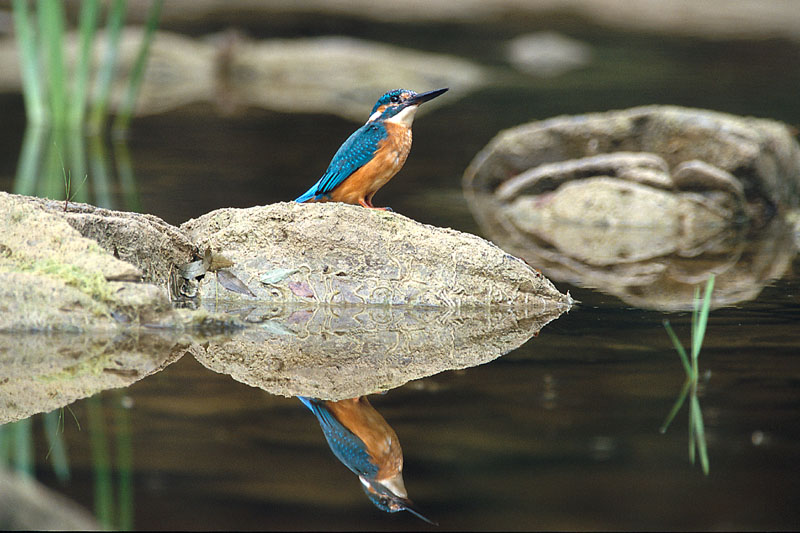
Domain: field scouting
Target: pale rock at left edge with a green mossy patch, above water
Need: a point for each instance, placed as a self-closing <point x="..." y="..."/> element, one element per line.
<point x="54" y="279"/>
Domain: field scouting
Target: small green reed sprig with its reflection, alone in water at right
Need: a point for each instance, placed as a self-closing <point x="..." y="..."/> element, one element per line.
<point x="697" y="437"/>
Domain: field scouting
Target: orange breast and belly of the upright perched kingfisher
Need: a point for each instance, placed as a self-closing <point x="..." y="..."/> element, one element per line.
<point x="389" y="159"/>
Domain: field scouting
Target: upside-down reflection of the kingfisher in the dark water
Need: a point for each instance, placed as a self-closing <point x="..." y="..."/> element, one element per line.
<point x="366" y="444"/>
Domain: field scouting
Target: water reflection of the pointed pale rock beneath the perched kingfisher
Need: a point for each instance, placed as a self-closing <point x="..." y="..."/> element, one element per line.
<point x="336" y="353"/>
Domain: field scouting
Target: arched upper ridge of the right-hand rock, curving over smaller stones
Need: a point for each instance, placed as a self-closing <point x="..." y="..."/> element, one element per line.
<point x="761" y="154"/>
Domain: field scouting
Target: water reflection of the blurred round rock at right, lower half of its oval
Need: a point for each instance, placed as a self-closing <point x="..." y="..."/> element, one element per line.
<point x="745" y="260"/>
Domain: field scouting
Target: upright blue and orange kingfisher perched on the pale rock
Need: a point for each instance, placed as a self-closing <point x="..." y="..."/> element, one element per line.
<point x="373" y="154"/>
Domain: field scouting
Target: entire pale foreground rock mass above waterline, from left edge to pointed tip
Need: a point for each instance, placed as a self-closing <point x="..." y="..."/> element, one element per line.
<point x="53" y="278"/>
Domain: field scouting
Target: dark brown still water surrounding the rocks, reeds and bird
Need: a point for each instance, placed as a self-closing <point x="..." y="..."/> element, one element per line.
<point x="561" y="433"/>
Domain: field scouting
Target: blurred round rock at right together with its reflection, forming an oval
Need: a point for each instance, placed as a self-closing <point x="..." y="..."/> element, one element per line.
<point x="643" y="203"/>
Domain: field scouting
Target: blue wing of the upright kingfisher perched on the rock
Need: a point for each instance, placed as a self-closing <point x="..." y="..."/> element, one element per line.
<point x="356" y="152"/>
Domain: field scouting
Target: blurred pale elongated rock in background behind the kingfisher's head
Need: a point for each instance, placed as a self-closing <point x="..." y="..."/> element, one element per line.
<point x="340" y="75"/>
